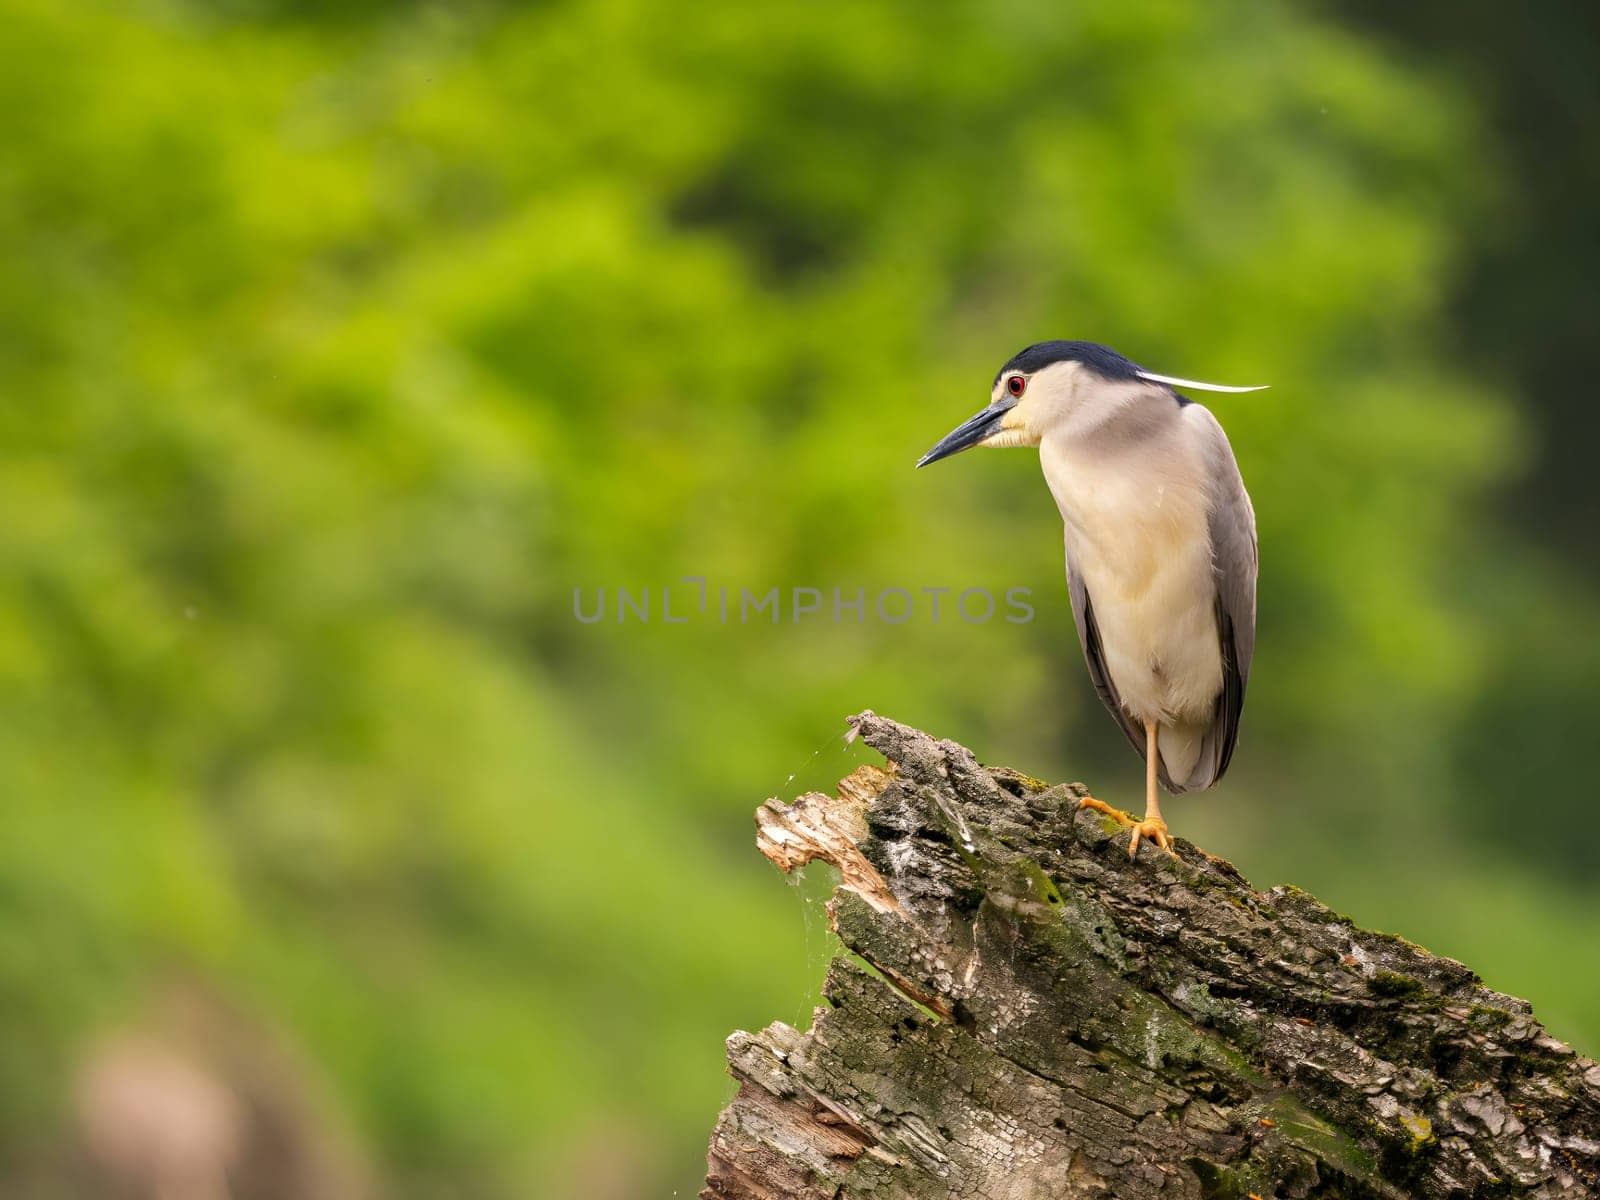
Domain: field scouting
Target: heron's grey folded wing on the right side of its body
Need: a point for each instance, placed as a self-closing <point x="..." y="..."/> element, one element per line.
<point x="1234" y="566"/>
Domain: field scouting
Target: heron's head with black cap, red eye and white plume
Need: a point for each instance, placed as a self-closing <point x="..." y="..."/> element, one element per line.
<point x="1046" y="385"/>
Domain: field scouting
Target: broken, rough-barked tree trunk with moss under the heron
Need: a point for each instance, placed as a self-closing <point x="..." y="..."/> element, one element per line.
<point x="1033" y="1015"/>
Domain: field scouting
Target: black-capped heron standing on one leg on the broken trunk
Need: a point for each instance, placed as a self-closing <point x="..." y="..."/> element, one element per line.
<point x="1161" y="542"/>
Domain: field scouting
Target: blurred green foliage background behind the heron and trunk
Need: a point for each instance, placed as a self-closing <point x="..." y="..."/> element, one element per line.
<point x="340" y="343"/>
